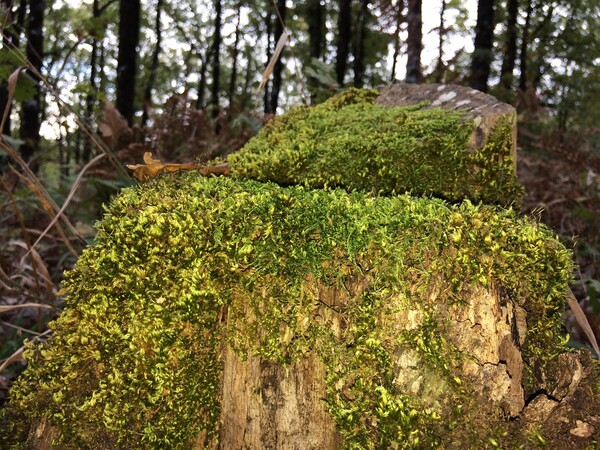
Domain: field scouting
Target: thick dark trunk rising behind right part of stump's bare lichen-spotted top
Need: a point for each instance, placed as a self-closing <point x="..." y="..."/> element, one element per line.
<point x="484" y="39"/>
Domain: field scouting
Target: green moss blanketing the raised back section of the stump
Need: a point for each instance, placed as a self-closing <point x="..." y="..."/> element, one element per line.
<point x="350" y="142"/>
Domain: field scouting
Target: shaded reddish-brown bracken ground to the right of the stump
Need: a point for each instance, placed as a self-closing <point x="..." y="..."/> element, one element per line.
<point x="562" y="180"/>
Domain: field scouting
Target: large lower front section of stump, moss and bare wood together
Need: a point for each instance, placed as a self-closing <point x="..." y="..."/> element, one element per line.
<point x="235" y="314"/>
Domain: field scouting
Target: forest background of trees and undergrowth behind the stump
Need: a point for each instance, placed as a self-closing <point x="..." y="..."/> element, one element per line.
<point x="87" y="87"/>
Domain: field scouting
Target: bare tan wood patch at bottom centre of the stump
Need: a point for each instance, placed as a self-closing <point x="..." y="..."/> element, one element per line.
<point x="267" y="405"/>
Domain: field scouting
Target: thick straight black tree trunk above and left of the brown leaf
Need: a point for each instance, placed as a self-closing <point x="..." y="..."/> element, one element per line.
<point x="129" y="34"/>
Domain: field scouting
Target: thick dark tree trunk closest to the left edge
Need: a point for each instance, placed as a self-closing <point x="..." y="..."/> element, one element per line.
<point x="31" y="109"/>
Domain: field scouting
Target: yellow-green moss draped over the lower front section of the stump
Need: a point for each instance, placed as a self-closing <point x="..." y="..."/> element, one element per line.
<point x="133" y="360"/>
